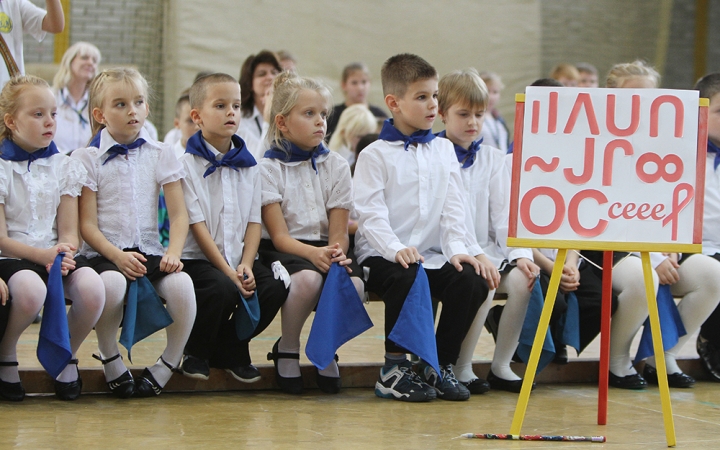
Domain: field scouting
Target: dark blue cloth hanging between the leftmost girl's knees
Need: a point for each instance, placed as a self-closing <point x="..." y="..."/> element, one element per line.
<point x="53" y="350"/>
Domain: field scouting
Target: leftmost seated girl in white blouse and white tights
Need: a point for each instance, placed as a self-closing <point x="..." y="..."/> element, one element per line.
<point x="38" y="219"/>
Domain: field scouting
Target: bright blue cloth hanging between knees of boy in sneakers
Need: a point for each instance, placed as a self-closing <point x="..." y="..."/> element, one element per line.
<point x="415" y="327"/>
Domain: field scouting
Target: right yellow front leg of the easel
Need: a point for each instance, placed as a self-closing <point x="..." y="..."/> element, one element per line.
<point x="659" y="351"/>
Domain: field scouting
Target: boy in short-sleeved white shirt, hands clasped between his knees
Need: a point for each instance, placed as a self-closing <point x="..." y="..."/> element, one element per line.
<point x="222" y="194"/>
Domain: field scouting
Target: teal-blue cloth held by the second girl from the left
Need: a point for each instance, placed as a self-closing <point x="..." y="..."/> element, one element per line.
<point x="144" y="314"/>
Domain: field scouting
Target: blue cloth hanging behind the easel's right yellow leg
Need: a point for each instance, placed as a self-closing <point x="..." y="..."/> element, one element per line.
<point x="671" y="325"/>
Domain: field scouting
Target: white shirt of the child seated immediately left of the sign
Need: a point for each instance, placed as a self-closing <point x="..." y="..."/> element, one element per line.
<point x="487" y="192"/>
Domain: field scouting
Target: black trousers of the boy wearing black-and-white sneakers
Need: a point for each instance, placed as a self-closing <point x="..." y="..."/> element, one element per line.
<point x="461" y="294"/>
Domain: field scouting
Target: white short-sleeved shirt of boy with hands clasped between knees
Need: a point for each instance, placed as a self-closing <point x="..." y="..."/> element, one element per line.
<point x="227" y="200"/>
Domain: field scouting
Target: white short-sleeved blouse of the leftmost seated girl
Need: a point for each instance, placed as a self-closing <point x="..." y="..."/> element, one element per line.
<point x="31" y="198"/>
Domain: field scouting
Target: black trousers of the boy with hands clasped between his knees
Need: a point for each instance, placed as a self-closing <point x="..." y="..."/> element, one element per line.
<point x="213" y="336"/>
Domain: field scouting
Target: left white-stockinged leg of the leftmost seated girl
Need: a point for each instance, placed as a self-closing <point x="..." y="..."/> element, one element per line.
<point x="28" y="295"/>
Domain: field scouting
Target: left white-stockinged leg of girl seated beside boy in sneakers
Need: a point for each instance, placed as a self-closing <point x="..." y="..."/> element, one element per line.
<point x="303" y="296"/>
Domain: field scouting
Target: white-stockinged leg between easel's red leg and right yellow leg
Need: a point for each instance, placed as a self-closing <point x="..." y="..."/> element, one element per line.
<point x="630" y="315"/>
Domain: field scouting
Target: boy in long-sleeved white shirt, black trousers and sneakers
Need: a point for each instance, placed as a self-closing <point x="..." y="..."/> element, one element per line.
<point x="410" y="206"/>
